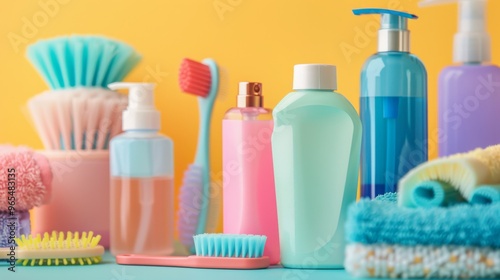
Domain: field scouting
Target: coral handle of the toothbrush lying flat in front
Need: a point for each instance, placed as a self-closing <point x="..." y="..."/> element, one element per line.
<point x="195" y="261"/>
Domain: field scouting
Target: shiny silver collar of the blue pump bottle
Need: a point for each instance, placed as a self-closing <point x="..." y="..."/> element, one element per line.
<point x="393" y="40"/>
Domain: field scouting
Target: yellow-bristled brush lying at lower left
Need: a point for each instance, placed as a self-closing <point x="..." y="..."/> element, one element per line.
<point x="58" y="249"/>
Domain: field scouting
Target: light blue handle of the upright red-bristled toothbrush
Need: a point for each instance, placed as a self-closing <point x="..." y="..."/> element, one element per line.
<point x="202" y="151"/>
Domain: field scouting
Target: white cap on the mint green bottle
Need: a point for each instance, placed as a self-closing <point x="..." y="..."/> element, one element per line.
<point x="315" y="76"/>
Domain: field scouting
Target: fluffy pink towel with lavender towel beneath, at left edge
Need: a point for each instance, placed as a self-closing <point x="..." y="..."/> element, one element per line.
<point x="25" y="180"/>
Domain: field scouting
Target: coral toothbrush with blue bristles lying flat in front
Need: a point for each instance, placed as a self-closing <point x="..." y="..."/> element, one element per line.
<point x="222" y="251"/>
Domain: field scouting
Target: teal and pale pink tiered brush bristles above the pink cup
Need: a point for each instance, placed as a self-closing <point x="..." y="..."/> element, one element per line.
<point x="79" y="112"/>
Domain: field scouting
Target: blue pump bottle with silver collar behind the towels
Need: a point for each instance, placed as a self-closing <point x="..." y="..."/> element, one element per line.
<point x="393" y="107"/>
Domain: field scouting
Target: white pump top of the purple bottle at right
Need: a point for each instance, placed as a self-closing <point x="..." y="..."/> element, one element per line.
<point x="472" y="43"/>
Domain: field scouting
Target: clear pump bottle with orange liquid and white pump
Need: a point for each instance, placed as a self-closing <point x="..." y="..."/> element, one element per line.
<point x="142" y="188"/>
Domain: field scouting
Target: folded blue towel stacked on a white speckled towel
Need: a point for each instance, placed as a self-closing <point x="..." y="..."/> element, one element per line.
<point x="385" y="240"/>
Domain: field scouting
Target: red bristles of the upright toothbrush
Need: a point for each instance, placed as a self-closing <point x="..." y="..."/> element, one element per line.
<point x="194" y="77"/>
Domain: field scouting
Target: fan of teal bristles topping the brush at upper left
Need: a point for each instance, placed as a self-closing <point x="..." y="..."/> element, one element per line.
<point x="82" y="61"/>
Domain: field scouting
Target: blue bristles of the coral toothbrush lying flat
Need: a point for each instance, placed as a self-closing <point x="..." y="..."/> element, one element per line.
<point x="229" y="245"/>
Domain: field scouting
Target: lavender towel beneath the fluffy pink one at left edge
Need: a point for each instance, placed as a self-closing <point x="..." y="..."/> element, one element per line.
<point x="21" y="226"/>
